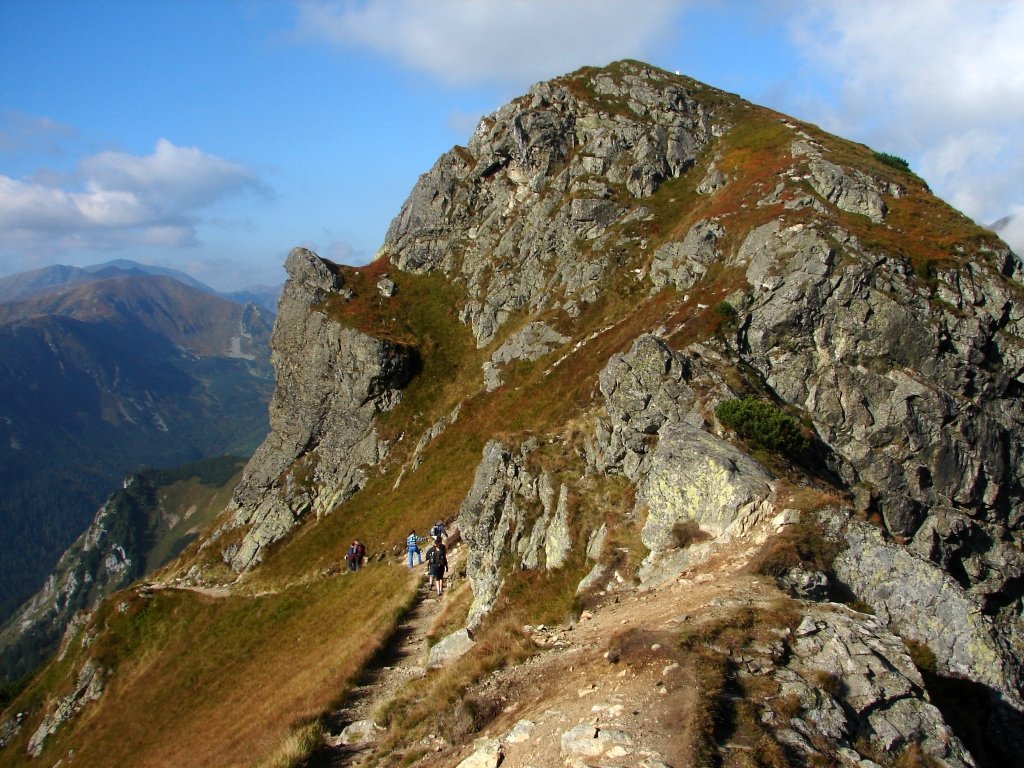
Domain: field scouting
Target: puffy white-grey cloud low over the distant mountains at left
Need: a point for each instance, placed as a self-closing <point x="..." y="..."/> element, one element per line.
<point x="121" y="200"/>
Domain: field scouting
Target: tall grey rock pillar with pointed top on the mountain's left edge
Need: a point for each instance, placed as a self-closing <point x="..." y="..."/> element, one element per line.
<point x="332" y="381"/>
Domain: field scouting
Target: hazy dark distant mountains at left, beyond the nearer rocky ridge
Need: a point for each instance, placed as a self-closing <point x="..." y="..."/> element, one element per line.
<point x="104" y="371"/>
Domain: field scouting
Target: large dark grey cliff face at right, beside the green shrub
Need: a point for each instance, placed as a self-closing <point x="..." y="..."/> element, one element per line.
<point x="904" y="391"/>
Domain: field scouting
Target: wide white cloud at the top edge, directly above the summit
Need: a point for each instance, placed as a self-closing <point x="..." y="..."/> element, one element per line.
<point x="489" y="41"/>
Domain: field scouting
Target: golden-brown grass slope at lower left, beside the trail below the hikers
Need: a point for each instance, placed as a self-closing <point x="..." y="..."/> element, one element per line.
<point x="234" y="674"/>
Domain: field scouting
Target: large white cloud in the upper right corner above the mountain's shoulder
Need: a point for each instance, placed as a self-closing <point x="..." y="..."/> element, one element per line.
<point x="938" y="81"/>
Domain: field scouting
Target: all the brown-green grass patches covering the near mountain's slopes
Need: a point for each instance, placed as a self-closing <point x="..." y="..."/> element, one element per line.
<point x="222" y="682"/>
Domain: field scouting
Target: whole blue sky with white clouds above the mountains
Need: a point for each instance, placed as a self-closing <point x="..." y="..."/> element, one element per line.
<point x="215" y="136"/>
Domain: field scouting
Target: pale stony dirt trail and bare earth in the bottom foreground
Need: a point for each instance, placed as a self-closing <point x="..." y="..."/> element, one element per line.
<point x="575" y="681"/>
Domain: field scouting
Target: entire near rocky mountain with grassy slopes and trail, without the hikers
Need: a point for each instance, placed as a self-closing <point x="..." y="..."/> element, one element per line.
<point x="724" y="416"/>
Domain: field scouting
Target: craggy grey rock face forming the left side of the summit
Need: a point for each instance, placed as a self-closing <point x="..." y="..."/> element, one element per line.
<point x="531" y="205"/>
